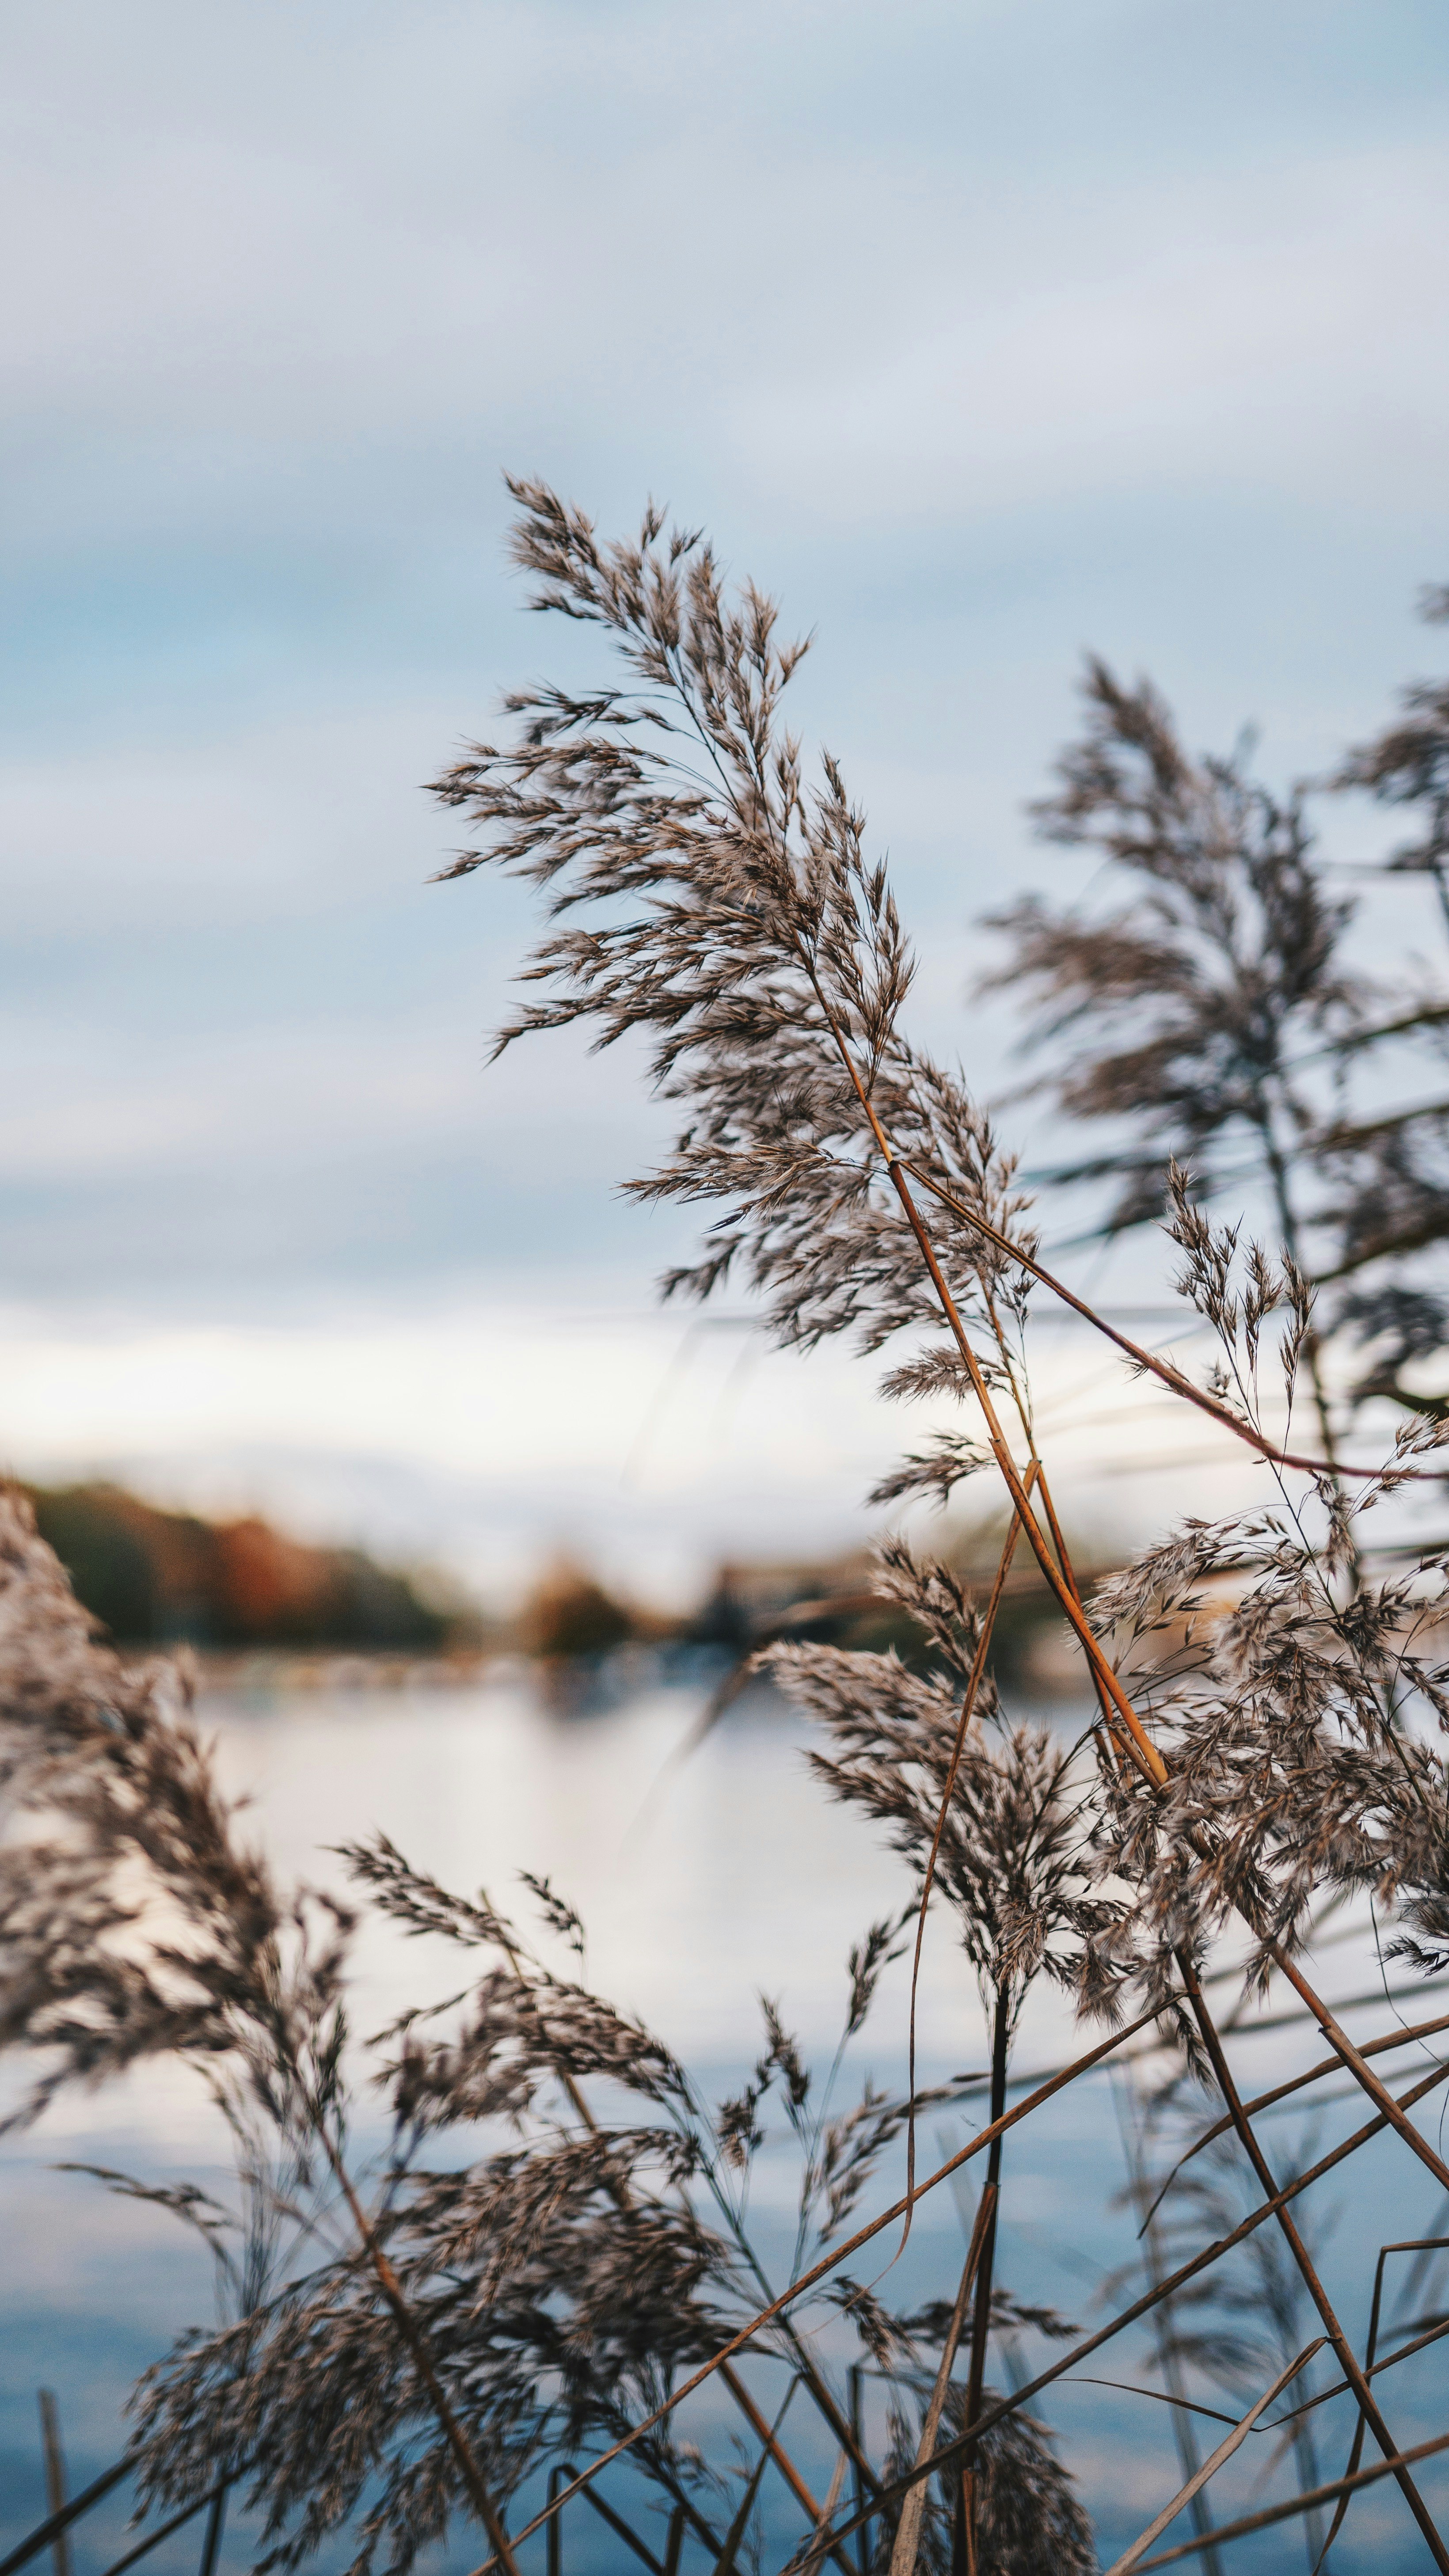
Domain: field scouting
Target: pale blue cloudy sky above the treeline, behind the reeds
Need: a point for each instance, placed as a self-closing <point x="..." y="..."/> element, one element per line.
<point x="979" y="334"/>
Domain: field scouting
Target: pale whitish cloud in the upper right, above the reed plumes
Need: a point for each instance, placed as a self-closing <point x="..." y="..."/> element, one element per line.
<point x="1157" y="334"/>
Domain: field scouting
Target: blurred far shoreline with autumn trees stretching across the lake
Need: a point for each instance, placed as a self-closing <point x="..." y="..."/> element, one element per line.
<point x="266" y="1611"/>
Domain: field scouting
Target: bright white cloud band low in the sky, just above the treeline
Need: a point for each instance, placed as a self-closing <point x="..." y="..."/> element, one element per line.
<point x="488" y="1434"/>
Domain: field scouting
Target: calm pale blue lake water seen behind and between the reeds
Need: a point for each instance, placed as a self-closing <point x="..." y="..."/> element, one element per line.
<point x="704" y="1879"/>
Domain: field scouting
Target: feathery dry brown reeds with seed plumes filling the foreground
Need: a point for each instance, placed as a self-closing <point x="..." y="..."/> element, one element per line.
<point x="526" y="2297"/>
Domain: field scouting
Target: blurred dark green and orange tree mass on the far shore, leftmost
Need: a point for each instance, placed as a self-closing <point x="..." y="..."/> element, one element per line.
<point x="171" y="1578"/>
